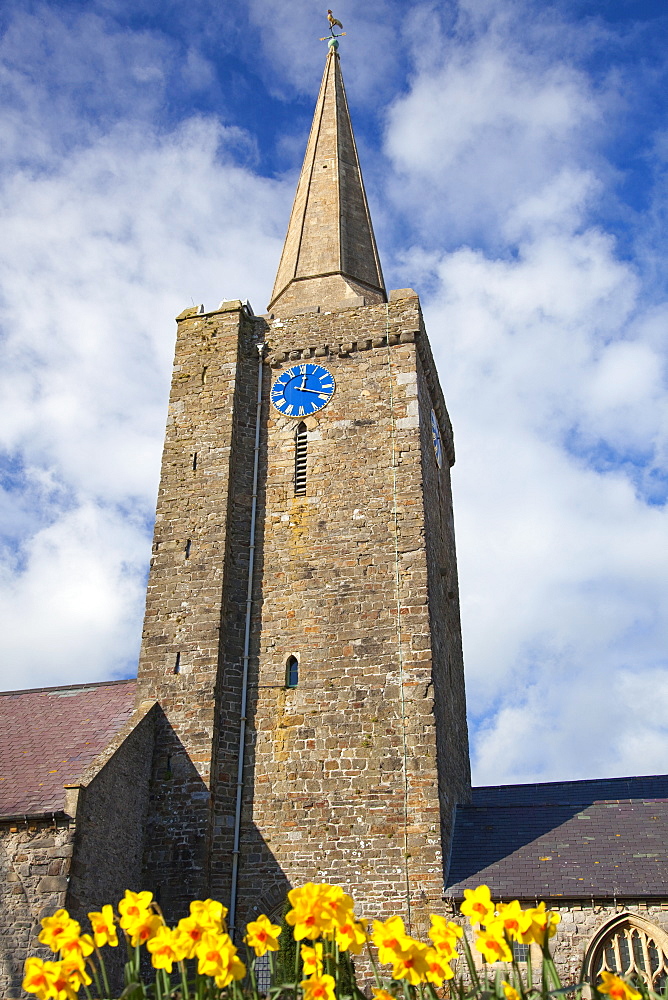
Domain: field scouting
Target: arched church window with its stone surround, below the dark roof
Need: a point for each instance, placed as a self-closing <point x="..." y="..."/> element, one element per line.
<point x="630" y="946"/>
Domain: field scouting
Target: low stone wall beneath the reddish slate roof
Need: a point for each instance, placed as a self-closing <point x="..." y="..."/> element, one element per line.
<point x="34" y="868"/>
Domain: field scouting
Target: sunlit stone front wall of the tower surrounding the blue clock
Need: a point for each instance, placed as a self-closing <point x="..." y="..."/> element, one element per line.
<point x="342" y="779"/>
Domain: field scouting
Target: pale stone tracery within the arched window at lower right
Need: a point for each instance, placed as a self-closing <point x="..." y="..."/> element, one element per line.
<point x="631" y="950"/>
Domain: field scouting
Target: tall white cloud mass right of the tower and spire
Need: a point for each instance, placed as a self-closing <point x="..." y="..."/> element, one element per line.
<point x="555" y="373"/>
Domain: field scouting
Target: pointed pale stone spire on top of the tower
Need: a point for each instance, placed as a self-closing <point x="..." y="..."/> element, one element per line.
<point x="329" y="257"/>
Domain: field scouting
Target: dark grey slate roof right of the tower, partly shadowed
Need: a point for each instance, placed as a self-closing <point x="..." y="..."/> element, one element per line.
<point x="605" y="838"/>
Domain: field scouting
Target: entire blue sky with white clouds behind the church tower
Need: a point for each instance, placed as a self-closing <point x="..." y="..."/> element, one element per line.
<point x="515" y="157"/>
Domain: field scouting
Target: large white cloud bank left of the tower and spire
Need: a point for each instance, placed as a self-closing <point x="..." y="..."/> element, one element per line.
<point x="92" y="268"/>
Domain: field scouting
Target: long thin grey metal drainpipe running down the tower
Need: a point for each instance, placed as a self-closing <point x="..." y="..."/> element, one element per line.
<point x="244" y="680"/>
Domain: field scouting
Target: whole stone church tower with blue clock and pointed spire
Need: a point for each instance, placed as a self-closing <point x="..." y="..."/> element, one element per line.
<point x="302" y="630"/>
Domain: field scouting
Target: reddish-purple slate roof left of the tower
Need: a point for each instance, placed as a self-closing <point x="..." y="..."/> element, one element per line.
<point x="49" y="736"/>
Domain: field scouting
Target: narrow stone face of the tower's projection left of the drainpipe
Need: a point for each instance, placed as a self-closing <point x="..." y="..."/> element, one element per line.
<point x="179" y="661"/>
